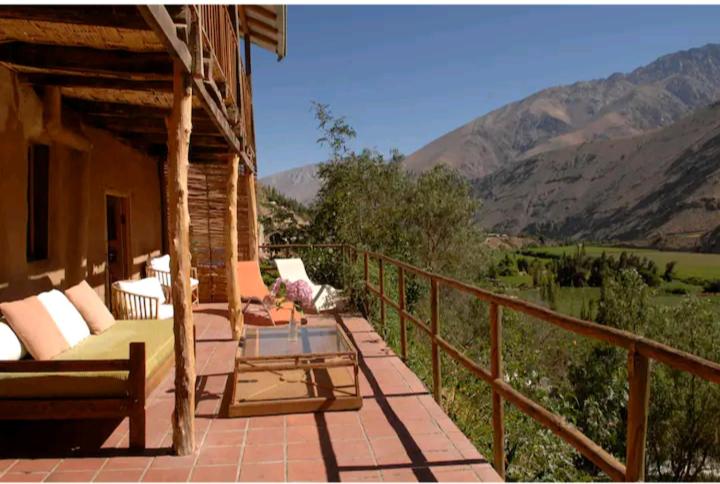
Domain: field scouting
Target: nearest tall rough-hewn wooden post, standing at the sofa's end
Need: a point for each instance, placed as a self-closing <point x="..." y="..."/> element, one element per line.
<point x="179" y="128"/>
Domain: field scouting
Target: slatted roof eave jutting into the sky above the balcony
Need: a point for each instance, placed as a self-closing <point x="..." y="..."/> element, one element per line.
<point x="267" y="26"/>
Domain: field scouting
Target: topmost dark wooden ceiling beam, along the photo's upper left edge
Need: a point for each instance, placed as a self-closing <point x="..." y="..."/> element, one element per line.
<point x="118" y="16"/>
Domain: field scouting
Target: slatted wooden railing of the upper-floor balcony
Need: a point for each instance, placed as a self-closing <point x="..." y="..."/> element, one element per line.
<point x="218" y="33"/>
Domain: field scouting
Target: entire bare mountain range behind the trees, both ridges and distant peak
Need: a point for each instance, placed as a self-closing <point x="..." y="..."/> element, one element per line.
<point x="587" y="146"/>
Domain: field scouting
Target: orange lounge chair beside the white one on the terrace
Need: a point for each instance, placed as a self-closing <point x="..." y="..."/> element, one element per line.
<point x="253" y="291"/>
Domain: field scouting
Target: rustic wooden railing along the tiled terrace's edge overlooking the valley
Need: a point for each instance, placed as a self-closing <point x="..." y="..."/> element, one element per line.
<point x="640" y="352"/>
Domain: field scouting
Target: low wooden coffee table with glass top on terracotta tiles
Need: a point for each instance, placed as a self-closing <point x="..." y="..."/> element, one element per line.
<point x="280" y="371"/>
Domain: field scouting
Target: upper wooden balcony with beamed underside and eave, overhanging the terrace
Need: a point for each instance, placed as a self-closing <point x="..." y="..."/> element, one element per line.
<point x="113" y="67"/>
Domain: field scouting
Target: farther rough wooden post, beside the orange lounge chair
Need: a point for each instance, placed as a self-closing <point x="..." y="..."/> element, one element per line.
<point x="231" y="249"/>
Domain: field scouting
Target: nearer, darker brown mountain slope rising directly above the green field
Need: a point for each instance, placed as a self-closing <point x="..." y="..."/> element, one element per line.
<point x="662" y="187"/>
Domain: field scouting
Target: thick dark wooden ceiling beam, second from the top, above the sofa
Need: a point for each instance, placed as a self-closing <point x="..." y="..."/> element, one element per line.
<point x="87" y="60"/>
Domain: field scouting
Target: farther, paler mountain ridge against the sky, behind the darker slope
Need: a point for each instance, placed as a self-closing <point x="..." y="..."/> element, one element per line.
<point x="622" y="105"/>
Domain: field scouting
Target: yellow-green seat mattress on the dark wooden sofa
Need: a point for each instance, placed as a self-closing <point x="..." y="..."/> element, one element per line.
<point x="111" y="344"/>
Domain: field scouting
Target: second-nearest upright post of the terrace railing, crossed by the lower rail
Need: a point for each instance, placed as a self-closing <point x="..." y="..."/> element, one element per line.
<point x="497" y="373"/>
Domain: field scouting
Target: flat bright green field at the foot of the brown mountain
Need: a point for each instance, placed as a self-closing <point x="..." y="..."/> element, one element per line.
<point x="689" y="264"/>
